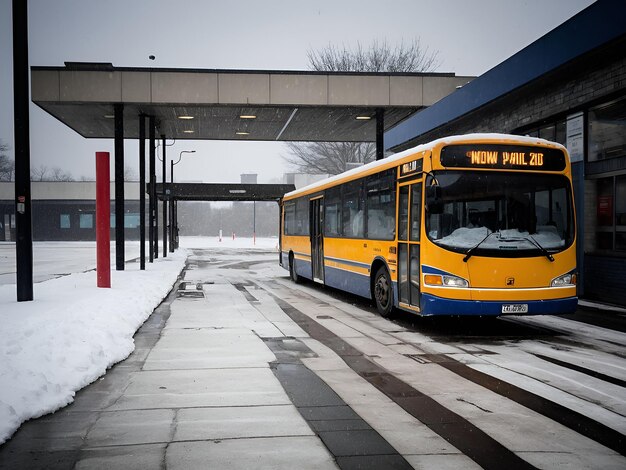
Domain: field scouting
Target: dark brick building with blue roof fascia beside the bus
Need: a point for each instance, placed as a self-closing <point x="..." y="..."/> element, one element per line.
<point x="570" y="87"/>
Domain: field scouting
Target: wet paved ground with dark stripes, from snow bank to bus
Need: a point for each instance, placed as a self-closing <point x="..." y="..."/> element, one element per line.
<point x="241" y="368"/>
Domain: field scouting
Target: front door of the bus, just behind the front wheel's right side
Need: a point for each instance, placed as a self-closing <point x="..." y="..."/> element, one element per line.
<point x="409" y="227"/>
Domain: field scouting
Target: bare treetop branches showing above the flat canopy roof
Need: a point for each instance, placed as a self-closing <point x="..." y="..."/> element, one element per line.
<point x="379" y="57"/>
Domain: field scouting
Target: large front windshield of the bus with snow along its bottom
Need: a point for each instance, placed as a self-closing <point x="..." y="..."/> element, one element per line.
<point x="502" y="214"/>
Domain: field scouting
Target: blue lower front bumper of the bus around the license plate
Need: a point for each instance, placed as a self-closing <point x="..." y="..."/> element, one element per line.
<point x="433" y="305"/>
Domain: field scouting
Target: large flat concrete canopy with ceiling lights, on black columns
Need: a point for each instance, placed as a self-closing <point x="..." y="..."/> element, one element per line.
<point x="235" y="104"/>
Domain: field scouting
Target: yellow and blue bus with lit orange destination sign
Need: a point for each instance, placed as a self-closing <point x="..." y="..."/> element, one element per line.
<point x="481" y="224"/>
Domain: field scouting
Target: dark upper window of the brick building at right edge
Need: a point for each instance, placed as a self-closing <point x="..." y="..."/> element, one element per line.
<point x="607" y="130"/>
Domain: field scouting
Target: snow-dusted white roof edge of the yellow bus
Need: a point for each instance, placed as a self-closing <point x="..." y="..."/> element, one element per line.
<point x="395" y="159"/>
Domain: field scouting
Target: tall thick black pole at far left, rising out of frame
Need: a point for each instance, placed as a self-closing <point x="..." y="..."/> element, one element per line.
<point x="21" y="102"/>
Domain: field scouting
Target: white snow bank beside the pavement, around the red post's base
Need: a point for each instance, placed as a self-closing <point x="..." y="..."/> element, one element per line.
<point x="71" y="333"/>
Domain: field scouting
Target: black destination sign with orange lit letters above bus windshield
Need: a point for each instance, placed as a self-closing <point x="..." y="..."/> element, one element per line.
<point x="503" y="157"/>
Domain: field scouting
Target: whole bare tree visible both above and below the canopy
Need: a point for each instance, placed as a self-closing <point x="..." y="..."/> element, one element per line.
<point x="334" y="158"/>
